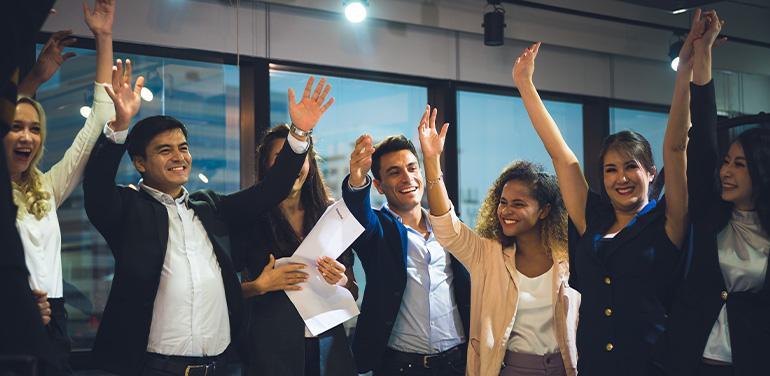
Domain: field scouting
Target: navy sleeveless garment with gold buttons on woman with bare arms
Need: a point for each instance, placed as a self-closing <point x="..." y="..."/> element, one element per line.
<point x="625" y="294"/>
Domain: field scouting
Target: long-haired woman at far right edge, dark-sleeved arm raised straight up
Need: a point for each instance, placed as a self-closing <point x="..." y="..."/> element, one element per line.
<point x="720" y="323"/>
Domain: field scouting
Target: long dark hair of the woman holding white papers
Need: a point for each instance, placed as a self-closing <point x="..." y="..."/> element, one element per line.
<point x="275" y="232"/>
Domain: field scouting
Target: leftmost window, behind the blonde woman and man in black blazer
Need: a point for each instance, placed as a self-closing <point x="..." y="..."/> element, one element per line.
<point x="204" y="96"/>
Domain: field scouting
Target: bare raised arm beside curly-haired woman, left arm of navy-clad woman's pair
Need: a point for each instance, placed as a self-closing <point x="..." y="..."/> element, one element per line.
<point x="572" y="182"/>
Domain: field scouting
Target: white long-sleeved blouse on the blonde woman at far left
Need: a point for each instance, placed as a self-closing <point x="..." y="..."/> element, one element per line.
<point x="42" y="238"/>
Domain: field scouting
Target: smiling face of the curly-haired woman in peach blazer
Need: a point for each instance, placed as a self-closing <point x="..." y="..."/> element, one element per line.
<point x="518" y="211"/>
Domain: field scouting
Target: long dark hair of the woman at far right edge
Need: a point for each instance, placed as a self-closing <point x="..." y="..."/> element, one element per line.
<point x="756" y="148"/>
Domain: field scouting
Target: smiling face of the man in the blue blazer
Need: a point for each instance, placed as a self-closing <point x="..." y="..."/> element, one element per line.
<point x="400" y="180"/>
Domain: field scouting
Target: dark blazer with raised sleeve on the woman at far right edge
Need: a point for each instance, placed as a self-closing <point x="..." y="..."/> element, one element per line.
<point x="700" y="299"/>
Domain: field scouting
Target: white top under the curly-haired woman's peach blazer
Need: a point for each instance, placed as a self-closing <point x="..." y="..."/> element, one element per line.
<point x="533" y="331"/>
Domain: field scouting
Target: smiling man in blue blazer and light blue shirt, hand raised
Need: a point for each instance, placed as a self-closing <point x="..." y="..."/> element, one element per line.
<point x="416" y="308"/>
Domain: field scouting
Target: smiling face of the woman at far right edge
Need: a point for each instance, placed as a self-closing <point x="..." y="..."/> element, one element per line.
<point x="736" y="182"/>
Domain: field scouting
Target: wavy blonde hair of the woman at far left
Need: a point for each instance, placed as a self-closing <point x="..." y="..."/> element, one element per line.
<point x="28" y="193"/>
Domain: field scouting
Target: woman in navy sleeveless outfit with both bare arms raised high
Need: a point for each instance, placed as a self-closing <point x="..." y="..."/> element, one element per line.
<point x="626" y="258"/>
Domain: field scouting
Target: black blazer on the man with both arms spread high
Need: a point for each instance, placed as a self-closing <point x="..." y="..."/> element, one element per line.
<point x="135" y="227"/>
